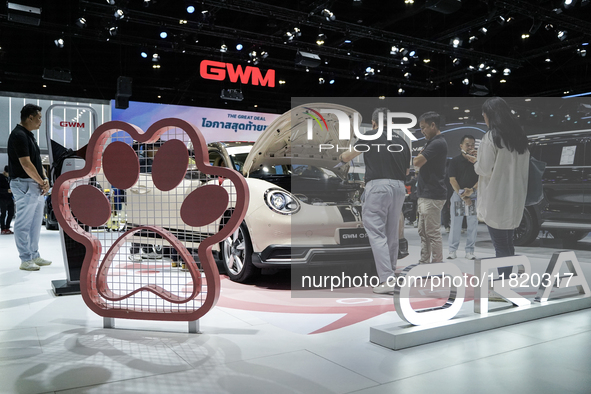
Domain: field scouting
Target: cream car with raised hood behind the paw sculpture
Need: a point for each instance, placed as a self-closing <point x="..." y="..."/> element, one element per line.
<point x="302" y="210"/>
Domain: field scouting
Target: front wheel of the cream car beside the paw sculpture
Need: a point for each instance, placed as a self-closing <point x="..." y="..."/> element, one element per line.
<point x="236" y="254"/>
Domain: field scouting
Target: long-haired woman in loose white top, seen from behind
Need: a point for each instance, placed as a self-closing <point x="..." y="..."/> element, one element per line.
<point x="502" y="165"/>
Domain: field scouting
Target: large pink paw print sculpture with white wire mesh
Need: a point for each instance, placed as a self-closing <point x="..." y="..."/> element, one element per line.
<point x="207" y="211"/>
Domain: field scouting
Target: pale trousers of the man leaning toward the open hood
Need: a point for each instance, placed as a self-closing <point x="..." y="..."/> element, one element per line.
<point x="382" y="207"/>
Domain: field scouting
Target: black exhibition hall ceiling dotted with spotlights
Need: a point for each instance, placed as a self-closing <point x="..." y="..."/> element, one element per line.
<point x="370" y="48"/>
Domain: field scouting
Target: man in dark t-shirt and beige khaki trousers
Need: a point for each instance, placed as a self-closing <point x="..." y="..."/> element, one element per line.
<point x="431" y="189"/>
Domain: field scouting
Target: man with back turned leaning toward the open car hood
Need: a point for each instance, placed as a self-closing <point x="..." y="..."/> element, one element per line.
<point x="387" y="164"/>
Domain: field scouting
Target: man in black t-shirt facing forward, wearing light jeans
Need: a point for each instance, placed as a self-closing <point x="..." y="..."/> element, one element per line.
<point x="464" y="181"/>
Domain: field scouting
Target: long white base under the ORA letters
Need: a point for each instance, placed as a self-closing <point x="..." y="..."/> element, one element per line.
<point x="398" y="337"/>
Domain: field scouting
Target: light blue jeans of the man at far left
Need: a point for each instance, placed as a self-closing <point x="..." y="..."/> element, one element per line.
<point x="29" y="210"/>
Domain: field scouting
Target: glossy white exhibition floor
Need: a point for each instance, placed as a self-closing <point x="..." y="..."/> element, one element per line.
<point x="52" y="344"/>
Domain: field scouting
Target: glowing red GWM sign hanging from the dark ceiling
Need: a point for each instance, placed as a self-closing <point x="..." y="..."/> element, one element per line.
<point x="217" y="71"/>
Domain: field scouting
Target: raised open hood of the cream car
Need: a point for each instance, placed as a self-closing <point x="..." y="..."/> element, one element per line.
<point x="285" y="141"/>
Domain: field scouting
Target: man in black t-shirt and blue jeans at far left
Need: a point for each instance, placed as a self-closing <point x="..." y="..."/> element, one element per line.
<point x="28" y="184"/>
